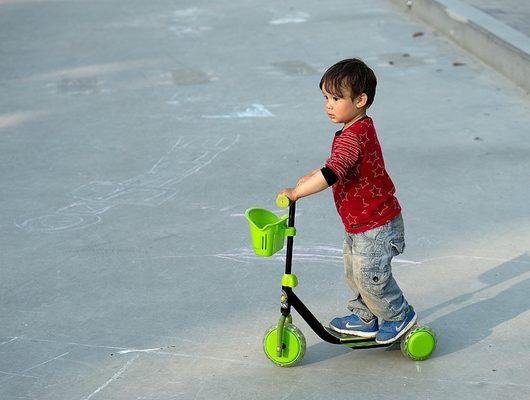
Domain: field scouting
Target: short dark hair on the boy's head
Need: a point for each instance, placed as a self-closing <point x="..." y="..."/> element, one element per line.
<point x="351" y="74"/>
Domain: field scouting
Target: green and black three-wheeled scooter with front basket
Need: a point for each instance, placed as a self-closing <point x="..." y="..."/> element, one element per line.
<point x="284" y="344"/>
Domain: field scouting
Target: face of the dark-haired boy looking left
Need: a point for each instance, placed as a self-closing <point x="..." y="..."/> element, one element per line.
<point x="343" y="110"/>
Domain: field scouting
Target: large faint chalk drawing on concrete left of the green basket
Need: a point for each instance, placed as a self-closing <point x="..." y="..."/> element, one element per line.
<point x="152" y="188"/>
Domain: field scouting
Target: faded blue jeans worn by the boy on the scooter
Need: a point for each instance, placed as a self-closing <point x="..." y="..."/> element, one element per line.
<point x="367" y="269"/>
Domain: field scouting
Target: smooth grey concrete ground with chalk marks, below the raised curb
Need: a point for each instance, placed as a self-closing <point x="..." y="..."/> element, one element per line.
<point x="133" y="136"/>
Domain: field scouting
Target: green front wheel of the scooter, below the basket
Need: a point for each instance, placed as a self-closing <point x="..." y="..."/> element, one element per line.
<point x="293" y="345"/>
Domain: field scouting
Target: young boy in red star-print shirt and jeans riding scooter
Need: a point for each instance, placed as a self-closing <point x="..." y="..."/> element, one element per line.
<point x="365" y="201"/>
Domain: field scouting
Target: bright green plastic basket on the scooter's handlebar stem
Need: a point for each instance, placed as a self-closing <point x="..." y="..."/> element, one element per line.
<point x="267" y="231"/>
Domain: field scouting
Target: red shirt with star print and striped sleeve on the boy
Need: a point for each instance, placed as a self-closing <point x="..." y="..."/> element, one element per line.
<point x="364" y="192"/>
